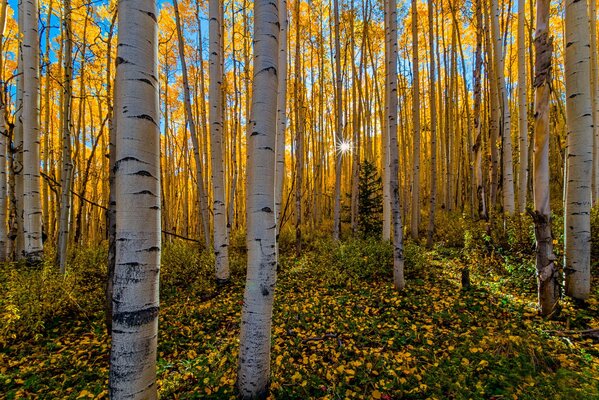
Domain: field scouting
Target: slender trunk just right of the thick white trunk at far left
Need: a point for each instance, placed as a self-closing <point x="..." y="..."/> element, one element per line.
<point x="67" y="158"/>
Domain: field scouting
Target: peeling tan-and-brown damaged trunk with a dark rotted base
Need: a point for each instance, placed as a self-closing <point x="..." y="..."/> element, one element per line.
<point x="547" y="274"/>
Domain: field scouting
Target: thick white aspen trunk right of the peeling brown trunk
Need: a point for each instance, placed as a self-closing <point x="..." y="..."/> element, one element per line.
<point x="580" y="155"/>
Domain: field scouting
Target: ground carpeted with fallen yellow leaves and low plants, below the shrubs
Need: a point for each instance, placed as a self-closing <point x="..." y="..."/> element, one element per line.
<point x="337" y="338"/>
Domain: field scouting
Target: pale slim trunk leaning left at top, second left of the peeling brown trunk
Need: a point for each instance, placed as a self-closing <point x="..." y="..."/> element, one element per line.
<point x="507" y="188"/>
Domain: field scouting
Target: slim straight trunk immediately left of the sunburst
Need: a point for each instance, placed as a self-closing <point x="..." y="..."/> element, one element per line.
<point x="339" y="125"/>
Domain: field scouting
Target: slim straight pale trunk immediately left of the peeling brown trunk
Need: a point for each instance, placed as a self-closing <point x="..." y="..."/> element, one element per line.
<point x="522" y="113"/>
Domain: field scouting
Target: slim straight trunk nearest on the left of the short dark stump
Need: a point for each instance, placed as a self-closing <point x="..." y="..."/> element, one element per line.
<point x="433" y="112"/>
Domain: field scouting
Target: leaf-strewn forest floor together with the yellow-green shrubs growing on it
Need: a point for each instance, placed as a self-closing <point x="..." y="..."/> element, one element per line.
<point x="339" y="328"/>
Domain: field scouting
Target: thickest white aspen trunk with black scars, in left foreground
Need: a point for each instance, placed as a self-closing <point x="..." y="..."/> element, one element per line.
<point x="137" y="185"/>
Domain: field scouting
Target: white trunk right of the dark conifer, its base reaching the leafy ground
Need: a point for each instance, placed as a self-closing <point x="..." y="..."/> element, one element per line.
<point x="391" y="82"/>
